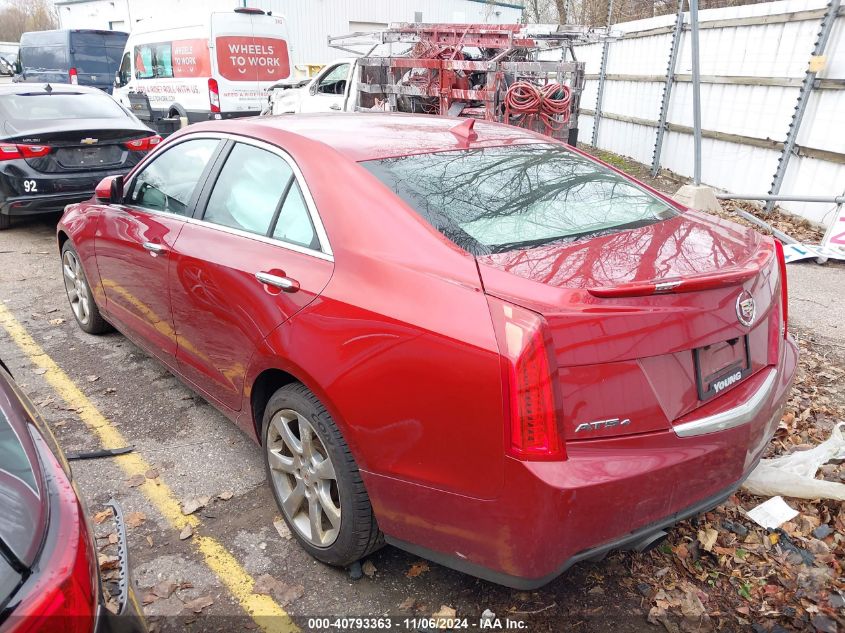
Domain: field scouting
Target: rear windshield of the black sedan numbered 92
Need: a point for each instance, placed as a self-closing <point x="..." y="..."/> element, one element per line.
<point x="67" y="105"/>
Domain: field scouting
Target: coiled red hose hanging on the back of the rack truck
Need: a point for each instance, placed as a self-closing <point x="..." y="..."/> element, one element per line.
<point x="550" y="103"/>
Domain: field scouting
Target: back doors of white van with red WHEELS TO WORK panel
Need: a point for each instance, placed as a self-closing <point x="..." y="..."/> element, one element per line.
<point x="251" y="53"/>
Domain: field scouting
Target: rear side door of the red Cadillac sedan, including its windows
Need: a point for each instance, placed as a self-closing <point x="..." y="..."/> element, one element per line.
<point x="255" y="257"/>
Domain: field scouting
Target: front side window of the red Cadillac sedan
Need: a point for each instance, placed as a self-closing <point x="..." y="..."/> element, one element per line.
<point x="168" y="182"/>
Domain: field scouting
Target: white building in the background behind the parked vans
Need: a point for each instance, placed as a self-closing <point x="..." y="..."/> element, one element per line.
<point x="309" y="21"/>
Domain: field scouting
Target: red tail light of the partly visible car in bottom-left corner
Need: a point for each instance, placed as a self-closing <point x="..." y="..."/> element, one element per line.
<point x="64" y="596"/>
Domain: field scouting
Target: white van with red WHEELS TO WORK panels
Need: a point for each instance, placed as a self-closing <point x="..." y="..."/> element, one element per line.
<point x="212" y="66"/>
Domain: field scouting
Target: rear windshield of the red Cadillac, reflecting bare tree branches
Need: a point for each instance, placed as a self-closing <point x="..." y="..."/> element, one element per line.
<point x="497" y="199"/>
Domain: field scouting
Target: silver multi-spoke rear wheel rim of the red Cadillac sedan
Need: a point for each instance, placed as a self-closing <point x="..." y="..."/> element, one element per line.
<point x="304" y="478"/>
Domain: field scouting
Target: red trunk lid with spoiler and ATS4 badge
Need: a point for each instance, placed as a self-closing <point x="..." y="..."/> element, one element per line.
<point x="644" y="322"/>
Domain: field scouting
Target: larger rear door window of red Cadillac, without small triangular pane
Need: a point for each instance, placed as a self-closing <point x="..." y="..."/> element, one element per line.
<point x="248" y="190"/>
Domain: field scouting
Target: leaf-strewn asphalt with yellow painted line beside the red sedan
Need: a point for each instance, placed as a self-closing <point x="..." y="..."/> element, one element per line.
<point x="96" y="390"/>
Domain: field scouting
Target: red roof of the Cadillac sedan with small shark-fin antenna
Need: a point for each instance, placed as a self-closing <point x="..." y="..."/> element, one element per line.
<point x="367" y="136"/>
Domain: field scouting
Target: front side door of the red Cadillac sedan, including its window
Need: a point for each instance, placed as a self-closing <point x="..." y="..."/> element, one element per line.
<point x="135" y="240"/>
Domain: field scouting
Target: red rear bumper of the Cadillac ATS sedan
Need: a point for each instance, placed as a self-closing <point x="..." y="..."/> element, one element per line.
<point x="607" y="494"/>
